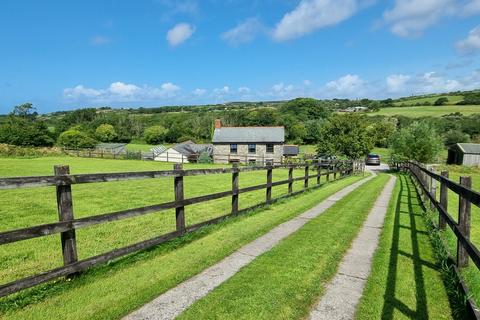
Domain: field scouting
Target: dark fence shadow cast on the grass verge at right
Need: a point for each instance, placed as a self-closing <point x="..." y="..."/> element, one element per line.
<point x="399" y="250"/>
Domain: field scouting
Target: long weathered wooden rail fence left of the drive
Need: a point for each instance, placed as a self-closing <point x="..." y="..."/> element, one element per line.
<point x="67" y="223"/>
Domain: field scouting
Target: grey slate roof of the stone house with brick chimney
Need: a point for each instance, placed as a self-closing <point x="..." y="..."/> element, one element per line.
<point x="248" y="134"/>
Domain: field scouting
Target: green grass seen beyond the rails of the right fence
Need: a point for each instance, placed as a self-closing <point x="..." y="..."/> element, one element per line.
<point x="471" y="273"/>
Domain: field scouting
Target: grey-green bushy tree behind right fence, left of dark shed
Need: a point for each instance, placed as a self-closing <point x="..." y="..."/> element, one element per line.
<point x="418" y="141"/>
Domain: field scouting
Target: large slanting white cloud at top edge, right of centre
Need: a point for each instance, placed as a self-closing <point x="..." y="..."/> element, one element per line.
<point x="310" y="15"/>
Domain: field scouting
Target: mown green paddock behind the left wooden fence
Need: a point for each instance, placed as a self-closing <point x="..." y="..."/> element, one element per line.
<point x="27" y="207"/>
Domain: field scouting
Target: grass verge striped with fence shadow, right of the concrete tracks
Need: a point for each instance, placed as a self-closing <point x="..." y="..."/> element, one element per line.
<point x="405" y="282"/>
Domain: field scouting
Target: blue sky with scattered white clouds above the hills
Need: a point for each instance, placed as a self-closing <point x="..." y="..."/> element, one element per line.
<point x="62" y="55"/>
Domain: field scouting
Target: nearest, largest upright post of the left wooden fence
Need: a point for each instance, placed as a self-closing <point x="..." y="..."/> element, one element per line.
<point x="65" y="213"/>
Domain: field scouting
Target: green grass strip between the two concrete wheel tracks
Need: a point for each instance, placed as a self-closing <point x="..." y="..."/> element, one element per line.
<point x="284" y="282"/>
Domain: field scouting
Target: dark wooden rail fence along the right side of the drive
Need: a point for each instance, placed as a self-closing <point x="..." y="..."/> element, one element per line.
<point x="426" y="180"/>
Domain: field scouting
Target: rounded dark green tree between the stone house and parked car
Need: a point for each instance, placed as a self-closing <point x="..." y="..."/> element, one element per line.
<point x="345" y="135"/>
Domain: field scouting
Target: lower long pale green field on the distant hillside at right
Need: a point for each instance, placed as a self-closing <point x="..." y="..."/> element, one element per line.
<point x="426" y="111"/>
